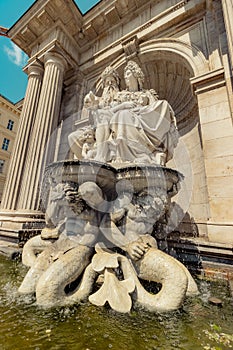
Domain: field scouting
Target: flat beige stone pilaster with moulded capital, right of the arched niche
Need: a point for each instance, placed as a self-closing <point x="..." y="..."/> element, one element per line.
<point x="217" y="139"/>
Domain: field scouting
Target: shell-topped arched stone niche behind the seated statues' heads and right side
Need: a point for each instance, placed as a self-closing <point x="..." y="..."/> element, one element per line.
<point x="169" y="72"/>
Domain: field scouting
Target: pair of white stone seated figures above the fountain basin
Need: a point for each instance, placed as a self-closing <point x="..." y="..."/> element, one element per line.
<point x="132" y="125"/>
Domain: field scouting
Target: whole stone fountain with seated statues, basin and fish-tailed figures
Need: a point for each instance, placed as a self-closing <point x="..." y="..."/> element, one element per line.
<point x="102" y="208"/>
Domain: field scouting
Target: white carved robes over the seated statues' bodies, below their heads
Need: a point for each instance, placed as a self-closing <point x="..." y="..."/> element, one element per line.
<point x="139" y="133"/>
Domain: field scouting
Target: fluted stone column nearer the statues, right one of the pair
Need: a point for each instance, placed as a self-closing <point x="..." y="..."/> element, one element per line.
<point x="46" y="117"/>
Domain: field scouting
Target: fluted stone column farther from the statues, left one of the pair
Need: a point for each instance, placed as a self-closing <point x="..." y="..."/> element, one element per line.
<point x="16" y="168"/>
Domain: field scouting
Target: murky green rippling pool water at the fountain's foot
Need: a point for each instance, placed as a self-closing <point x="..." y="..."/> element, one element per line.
<point x="198" y="325"/>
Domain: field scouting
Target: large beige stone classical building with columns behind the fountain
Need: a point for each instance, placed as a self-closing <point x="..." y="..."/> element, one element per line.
<point x="185" y="50"/>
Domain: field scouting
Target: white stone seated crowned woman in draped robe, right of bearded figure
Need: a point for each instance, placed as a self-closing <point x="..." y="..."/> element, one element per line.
<point x="142" y="126"/>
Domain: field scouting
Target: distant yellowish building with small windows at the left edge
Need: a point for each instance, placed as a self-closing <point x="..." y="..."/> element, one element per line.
<point x="9" y="120"/>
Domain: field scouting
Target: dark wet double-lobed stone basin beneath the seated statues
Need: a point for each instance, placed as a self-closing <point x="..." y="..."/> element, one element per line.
<point x="107" y="177"/>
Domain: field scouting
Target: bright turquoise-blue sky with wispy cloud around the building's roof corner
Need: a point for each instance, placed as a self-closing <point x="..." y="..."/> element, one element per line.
<point x="13" y="81"/>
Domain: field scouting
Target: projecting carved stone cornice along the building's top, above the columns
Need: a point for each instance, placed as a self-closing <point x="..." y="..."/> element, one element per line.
<point x="39" y="25"/>
